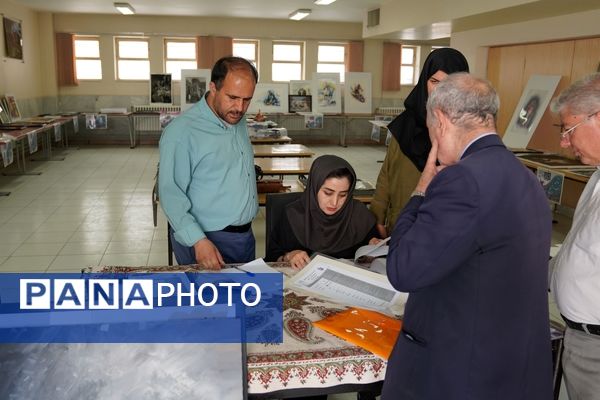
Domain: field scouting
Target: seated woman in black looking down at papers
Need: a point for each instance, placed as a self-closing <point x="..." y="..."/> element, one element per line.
<point x="325" y="219"/>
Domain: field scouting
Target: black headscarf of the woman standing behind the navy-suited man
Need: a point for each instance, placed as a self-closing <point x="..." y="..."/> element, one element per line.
<point x="410" y="128"/>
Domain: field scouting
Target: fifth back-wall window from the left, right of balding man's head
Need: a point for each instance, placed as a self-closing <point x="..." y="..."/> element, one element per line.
<point x="288" y="61"/>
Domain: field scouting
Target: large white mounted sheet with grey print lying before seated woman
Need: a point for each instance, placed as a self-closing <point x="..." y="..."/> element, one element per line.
<point x="344" y="284"/>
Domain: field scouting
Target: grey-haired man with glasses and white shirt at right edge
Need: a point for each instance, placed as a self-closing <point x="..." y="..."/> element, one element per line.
<point x="576" y="268"/>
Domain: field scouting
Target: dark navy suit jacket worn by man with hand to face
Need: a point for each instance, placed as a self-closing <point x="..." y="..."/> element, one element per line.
<point x="473" y="254"/>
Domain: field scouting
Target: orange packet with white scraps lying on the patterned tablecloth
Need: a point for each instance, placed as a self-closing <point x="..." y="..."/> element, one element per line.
<point x="368" y="329"/>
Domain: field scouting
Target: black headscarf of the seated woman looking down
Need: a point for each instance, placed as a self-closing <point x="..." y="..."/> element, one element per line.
<point x="324" y="233"/>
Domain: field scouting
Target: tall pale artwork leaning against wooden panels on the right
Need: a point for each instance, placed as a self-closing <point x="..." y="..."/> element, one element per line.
<point x="529" y="111"/>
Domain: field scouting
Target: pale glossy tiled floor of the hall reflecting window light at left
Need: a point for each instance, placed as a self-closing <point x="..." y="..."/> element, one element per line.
<point x="94" y="208"/>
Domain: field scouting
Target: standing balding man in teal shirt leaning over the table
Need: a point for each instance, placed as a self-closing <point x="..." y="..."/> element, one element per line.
<point x="206" y="183"/>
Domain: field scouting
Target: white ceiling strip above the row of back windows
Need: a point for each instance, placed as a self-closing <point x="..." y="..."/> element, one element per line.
<point x="341" y="10"/>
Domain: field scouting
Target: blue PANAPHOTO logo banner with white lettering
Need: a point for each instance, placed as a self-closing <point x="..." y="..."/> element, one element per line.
<point x="141" y="308"/>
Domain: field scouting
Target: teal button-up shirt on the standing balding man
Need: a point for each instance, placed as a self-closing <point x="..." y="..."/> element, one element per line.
<point x="206" y="177"/>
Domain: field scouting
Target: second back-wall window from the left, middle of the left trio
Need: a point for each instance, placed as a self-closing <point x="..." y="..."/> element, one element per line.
<point x="132" y="59"/>
